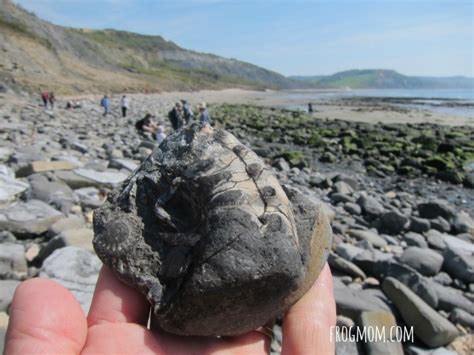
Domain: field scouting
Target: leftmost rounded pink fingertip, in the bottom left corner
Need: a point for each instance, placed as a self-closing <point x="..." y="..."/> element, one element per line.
<point x="45" y="318"/>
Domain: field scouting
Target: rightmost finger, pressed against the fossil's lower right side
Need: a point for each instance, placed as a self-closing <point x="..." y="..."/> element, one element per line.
<point x="307" y="324"/>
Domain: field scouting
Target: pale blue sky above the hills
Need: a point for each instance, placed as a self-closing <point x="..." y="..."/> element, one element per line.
<point x="295" y="37"/>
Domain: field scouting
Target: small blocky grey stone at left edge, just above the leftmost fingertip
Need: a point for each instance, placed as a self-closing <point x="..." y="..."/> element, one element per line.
<point x="12" y="260"/>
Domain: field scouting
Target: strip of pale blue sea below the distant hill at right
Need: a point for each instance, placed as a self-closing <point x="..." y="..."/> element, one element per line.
<point x="457" y="102"/>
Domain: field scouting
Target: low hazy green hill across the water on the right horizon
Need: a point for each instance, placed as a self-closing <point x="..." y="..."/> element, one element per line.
<point x="382" y="79"/>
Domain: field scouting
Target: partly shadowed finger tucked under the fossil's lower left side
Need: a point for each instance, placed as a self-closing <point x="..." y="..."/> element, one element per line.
<point x="115" y="302"/>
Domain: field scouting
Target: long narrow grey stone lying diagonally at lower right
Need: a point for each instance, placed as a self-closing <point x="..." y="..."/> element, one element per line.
<point x="428" y="325"/>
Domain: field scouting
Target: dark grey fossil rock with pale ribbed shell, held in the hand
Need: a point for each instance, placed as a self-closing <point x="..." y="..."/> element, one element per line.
<point x="208" y="234"/>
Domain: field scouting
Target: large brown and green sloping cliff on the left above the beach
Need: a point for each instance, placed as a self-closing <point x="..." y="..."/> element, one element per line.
<point x="35" y="54"/>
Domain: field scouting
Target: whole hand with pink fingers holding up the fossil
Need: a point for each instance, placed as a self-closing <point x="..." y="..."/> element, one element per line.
<point x="46" y="318"/>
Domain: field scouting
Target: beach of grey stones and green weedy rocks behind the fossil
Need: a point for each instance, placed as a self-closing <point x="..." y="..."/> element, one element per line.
<point x="400" y="198"/>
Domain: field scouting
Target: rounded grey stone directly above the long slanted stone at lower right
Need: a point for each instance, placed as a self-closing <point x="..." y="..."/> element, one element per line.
<point x="425" y="261"/>
